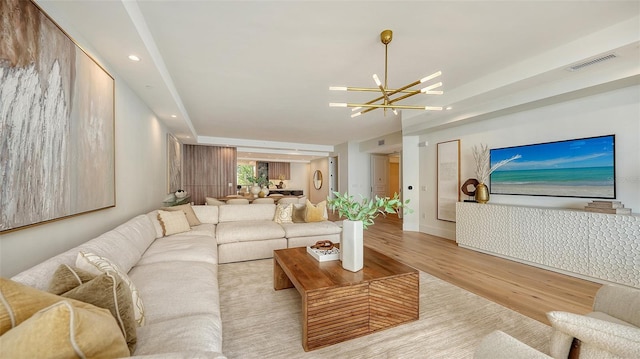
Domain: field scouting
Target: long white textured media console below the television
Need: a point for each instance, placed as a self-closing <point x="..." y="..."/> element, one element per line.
<point x="605" y="247"/>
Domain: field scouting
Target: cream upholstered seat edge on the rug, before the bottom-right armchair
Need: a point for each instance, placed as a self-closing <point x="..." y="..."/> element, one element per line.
<point x="499" y="345"/>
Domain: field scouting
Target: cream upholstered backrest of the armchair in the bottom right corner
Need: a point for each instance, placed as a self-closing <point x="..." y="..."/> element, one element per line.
<point x="619" y="302"/>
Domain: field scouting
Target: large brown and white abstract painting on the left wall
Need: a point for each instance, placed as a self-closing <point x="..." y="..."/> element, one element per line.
<point x="57" y="125"/>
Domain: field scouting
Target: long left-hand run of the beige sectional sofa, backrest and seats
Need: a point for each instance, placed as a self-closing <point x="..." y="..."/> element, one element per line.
<point x="176" y="278"/>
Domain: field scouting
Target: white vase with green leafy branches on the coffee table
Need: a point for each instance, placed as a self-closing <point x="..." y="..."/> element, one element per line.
<point x="359" y="215"/>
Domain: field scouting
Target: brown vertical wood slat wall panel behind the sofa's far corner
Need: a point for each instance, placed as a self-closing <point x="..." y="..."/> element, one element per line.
<point x="208" y="170"/>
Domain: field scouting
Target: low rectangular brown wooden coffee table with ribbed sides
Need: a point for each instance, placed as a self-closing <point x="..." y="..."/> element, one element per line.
<point x="337" y="304"/>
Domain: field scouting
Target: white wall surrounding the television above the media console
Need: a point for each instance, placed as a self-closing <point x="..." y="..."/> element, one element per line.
<point x="614" y="112"/>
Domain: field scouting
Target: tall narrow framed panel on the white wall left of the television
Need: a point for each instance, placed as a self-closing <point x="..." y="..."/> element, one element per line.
<point x="448" y="179"/>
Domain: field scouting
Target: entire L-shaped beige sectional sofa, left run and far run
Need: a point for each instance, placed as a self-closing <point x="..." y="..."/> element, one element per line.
<point x="176" y="276"/>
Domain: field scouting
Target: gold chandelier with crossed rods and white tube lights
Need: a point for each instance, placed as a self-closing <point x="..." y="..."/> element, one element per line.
<point x="387" y="99"/>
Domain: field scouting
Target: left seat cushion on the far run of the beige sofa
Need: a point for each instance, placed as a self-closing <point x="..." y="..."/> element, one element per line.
<point x="245" y="231"/>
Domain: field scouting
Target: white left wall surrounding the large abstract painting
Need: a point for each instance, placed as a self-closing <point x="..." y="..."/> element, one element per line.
<point x="140" y="141"/>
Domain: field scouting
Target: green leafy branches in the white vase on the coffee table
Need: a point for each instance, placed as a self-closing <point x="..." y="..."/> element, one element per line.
<point x="366" y="209"/>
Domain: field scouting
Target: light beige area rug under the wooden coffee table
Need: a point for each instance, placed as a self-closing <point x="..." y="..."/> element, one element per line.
<point x="259" y="322"/>
